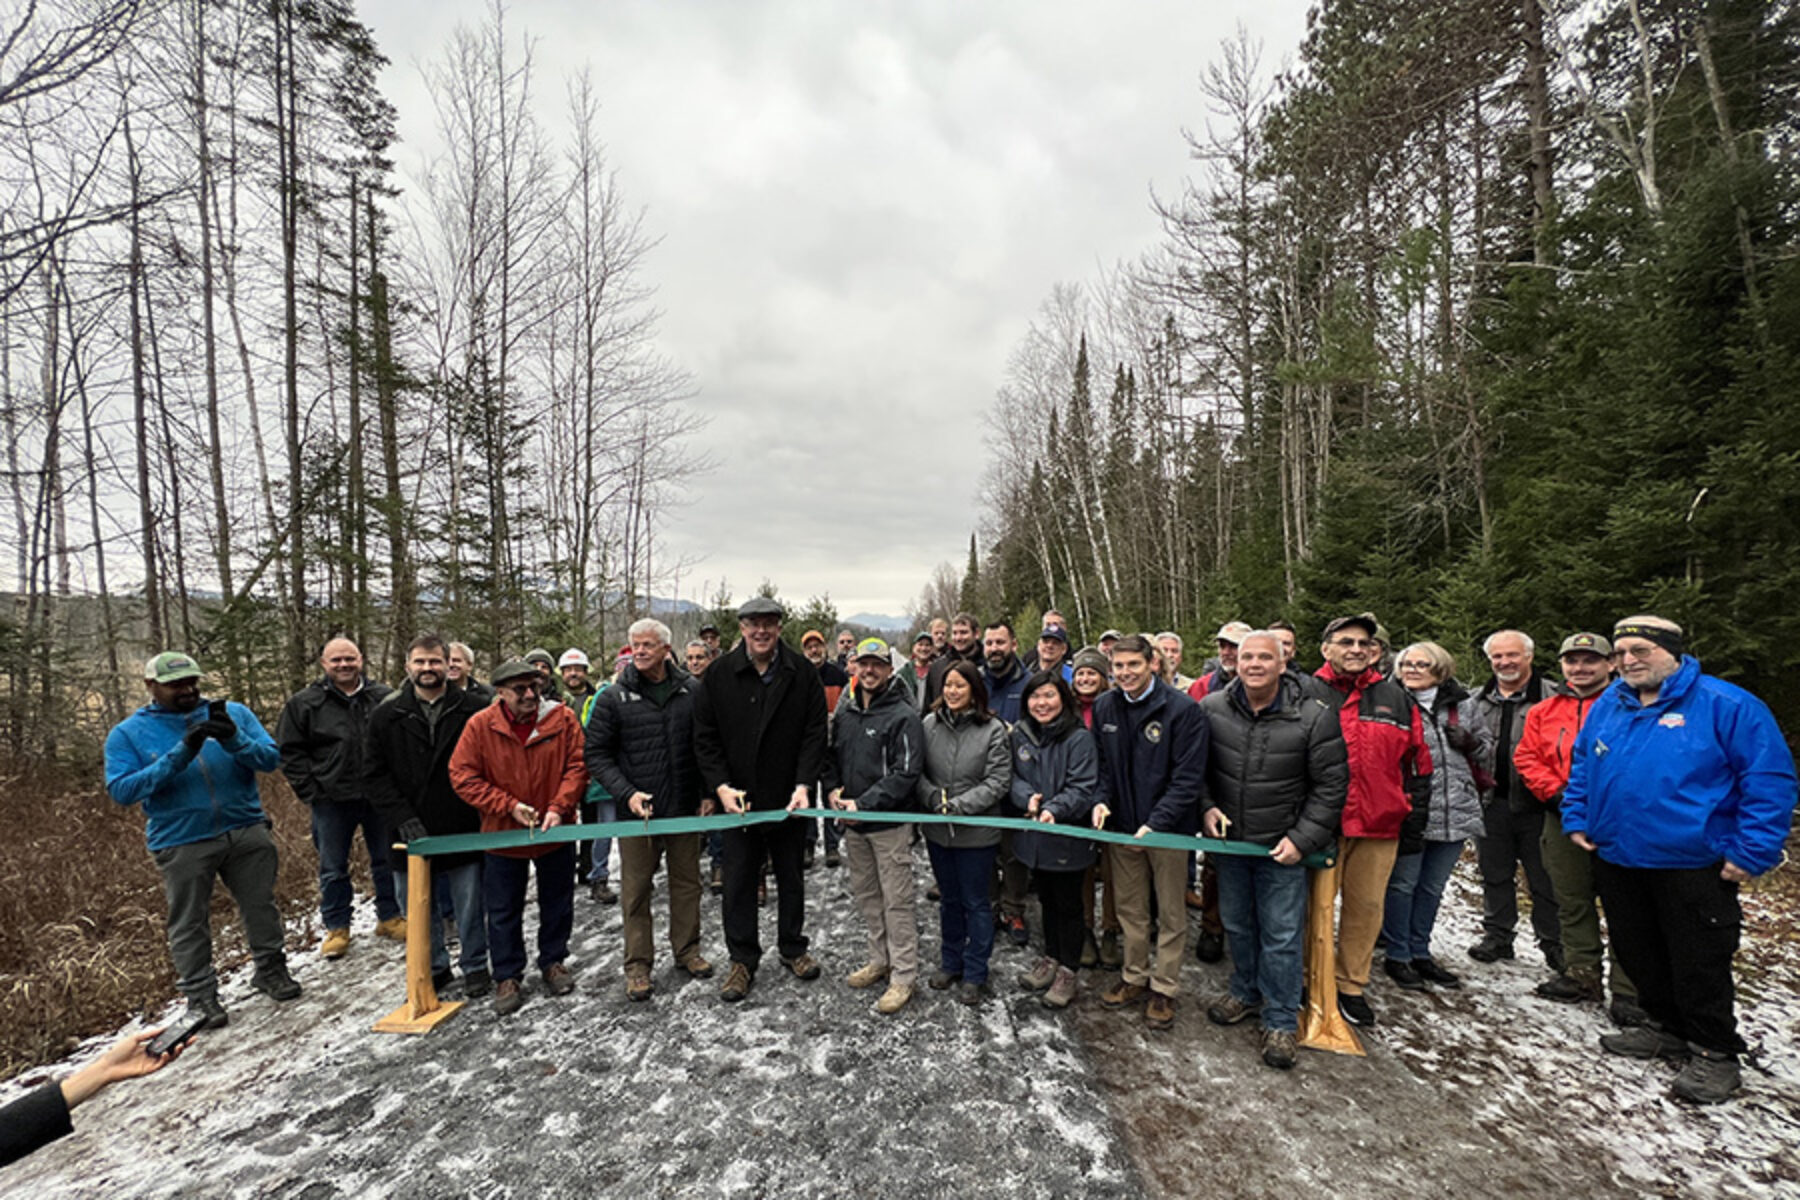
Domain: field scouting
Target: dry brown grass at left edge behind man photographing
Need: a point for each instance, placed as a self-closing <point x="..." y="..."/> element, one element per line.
<point x="82" y="913"/>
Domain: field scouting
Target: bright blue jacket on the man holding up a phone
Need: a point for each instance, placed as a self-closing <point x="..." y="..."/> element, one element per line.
<point x="188" y="798"/>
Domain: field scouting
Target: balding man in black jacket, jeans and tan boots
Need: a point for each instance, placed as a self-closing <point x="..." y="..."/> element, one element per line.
<point x="321" y="735"/>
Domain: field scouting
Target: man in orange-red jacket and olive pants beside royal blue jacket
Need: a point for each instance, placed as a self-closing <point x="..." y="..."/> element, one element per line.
<point x="1543" y="757"/>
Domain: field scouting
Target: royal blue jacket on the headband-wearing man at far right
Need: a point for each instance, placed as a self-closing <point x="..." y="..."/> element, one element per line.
<point x="1702" y="775"/>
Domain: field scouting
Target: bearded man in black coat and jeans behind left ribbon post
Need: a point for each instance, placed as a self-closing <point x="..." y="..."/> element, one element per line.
<point x="408" y="778"/>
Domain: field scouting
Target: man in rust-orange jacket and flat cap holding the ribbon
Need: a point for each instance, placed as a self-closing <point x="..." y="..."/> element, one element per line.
<point x="521" y="764"/>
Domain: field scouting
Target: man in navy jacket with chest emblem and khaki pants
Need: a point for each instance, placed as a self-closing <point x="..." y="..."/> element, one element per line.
<point x="1153" y="773"/>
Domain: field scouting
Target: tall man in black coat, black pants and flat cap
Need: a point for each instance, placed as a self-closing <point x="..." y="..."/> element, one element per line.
<point x="759" y="735"/>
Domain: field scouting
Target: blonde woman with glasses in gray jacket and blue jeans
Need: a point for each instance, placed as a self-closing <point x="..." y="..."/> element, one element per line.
<point x="1430" y="850"/>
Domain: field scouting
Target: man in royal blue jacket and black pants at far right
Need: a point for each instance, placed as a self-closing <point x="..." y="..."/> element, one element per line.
<point x="1684" y="789"/>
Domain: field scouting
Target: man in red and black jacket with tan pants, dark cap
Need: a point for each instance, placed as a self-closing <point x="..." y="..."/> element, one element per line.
<point x="1390" y="785"/>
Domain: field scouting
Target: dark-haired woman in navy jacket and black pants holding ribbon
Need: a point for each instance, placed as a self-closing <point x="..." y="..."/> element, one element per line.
<point x="1056" y="780"/>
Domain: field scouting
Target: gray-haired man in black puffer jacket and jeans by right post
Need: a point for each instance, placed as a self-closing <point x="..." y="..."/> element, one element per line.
<point x="1277" y="778"/>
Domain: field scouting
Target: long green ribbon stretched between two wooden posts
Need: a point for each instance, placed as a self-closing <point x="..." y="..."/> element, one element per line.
<point x="660" y="827"/>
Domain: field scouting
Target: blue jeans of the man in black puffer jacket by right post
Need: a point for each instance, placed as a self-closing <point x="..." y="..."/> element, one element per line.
<point x="1264" y="911"/>
